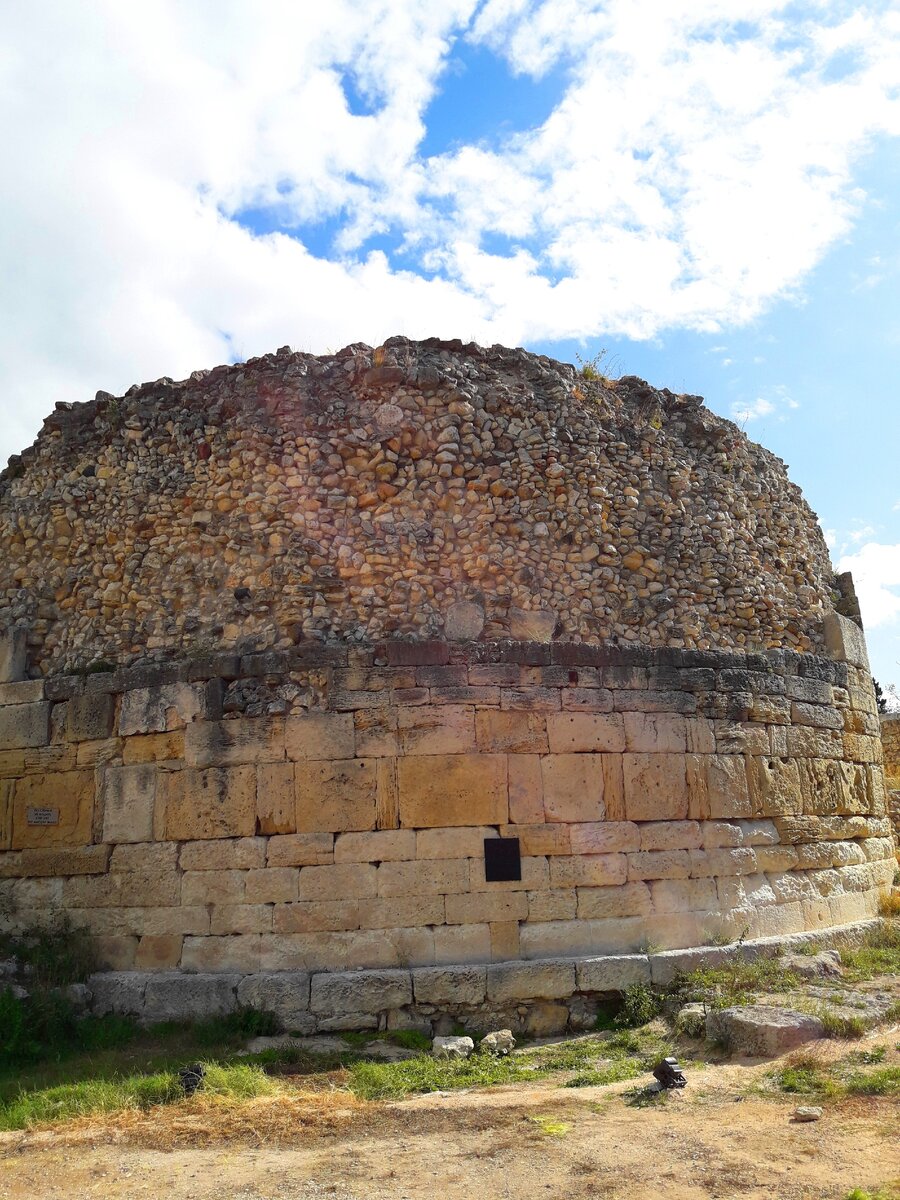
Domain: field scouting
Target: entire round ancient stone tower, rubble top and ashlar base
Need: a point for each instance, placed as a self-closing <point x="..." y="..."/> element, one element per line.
<point x="430" y="680"/>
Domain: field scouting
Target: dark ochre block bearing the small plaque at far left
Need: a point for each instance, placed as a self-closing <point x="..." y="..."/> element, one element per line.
<point x="69" y="796"/>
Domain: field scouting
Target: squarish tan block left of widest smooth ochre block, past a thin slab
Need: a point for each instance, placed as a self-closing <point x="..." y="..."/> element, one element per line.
<point x="339" y="796"/>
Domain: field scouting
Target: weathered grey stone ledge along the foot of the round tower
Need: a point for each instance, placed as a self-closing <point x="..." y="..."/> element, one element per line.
<point x="411" y="998"/>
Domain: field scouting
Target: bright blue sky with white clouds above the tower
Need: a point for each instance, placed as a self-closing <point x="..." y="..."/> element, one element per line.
<point x="709" y="191"/>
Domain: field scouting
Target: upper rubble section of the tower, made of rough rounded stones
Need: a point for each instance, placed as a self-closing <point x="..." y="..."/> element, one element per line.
<point x="423" y="489"/>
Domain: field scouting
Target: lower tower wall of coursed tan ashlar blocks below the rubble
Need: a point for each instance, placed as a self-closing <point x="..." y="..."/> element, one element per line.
<point x="325" y="809"/>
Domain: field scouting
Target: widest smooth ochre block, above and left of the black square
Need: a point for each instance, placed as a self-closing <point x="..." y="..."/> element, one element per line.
<point x="453" y="790"/>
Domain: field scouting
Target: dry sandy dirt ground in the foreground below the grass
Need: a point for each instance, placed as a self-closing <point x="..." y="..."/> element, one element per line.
<point x="523" y="1143"/>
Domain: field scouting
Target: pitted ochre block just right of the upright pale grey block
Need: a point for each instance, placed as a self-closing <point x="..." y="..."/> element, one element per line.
<point x="200" y="805"/>
